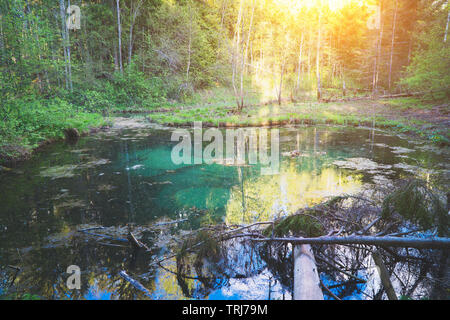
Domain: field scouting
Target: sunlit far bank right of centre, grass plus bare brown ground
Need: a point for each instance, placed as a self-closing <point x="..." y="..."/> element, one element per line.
<point x="411" y="116"/>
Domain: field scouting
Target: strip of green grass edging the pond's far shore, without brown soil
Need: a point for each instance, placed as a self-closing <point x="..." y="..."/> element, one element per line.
<point x="303" y="113"/>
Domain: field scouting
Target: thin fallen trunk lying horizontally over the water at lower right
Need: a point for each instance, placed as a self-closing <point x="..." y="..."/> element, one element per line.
<point x="418" y="243"/>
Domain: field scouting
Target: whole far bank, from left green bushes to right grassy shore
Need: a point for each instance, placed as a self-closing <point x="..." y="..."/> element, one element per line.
<point x="30" y="123"/>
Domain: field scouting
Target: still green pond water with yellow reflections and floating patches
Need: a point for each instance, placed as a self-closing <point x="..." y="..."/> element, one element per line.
<point x="126" y="177"/>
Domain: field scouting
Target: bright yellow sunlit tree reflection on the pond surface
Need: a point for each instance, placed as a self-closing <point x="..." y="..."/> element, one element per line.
<point x="267" y="197"/>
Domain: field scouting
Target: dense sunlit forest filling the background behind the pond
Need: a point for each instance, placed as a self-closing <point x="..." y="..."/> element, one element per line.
<point x="147" y="53"/>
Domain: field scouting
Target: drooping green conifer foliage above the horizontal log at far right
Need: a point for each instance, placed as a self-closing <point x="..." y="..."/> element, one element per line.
<point x="415" y="202"/>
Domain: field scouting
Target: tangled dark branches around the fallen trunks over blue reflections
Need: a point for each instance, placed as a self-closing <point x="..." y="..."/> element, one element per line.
<point x="346" y="271"/>
